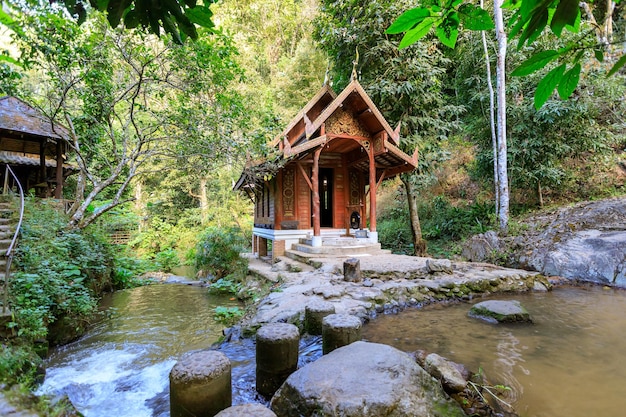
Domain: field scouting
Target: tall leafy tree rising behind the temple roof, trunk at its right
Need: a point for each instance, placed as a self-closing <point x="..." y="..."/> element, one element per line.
<point x="406" y="84"/>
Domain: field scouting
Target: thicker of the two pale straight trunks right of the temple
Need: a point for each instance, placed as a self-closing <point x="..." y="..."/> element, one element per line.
<point x="503" y="206"/>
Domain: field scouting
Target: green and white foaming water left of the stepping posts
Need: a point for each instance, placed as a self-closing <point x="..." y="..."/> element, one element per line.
<point x="121" y="367"/>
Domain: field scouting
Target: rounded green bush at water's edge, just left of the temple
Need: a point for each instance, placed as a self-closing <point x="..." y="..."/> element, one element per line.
<point x="218" y="254"/>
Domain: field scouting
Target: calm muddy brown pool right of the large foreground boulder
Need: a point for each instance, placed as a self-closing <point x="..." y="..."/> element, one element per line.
<point x="570" y="362"/>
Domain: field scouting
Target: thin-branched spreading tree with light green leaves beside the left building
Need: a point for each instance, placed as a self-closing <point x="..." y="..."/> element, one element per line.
<point x="129" y="101"/>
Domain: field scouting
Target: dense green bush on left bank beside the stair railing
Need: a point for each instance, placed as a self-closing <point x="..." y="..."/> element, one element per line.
<point x="59" y="272"/>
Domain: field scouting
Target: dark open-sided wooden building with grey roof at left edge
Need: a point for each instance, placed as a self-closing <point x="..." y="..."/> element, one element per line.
<point x="34" y="147"/>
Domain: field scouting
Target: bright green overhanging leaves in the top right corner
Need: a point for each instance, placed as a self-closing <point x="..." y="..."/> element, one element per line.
<point x="528" y="21"/>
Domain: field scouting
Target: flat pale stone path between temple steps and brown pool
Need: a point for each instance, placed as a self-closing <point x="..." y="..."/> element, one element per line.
<point x="391" y="283"/>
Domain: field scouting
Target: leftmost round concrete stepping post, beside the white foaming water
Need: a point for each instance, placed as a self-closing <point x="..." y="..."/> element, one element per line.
<point x="200" y="385"/>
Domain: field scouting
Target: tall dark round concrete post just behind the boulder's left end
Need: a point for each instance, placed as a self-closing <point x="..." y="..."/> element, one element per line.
<point x="277" y="346"/>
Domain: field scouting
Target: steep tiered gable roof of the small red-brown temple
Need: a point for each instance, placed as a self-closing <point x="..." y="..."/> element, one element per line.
<point x="344" y="123"/>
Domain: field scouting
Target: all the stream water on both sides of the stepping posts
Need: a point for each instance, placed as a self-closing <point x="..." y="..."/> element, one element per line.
<point x="568" y="363"/>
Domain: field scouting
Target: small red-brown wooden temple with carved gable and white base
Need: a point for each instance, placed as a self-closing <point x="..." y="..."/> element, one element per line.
<point x="331" y="159"/>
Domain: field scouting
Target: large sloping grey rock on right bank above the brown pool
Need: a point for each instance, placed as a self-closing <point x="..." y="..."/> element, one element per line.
<point x="583" y="242"/>
